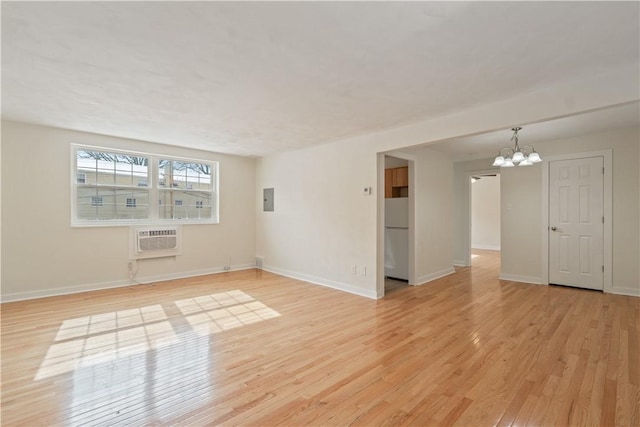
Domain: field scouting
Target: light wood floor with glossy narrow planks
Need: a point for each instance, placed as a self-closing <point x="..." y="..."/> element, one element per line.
<point x="253" y="348"/>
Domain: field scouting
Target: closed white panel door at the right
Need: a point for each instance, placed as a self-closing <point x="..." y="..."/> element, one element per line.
<point x="576" y="209"/>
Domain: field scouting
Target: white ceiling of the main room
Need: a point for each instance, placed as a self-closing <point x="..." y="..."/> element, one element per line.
<point x="254" y="78"/>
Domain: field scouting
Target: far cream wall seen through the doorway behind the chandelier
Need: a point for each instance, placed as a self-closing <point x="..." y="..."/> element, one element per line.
<point x="485" y="213"/>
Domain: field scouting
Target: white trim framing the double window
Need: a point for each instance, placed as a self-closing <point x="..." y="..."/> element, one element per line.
<point x="154" y="190"/>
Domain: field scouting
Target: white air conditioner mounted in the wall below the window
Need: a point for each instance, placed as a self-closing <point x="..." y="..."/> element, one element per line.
<point x="155" y="242"/>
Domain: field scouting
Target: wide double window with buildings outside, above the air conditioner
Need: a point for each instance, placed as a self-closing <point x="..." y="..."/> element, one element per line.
<point x="117" y="187"/>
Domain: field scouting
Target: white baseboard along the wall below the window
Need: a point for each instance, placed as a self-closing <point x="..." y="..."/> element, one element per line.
<point x="20" y="296"/>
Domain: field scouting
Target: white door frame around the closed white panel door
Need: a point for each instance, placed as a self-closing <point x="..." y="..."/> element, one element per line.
<point x="607" y="156"/>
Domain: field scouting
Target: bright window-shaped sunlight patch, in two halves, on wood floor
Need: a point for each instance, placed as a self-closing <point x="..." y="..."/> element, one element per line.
<point x="105" y="337"/>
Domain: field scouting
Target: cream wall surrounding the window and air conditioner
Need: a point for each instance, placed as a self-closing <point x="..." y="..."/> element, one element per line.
<point x="43" y="255"/>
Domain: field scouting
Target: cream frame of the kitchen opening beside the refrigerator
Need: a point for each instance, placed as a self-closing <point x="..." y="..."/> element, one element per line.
<point x="412" y="164"/>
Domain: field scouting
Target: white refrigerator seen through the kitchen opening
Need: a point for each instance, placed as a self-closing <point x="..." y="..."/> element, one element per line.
<point x="396" y="238"/>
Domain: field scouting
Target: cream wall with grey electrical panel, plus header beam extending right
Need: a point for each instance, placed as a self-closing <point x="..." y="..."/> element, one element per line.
<point x="323" y="224"/>
